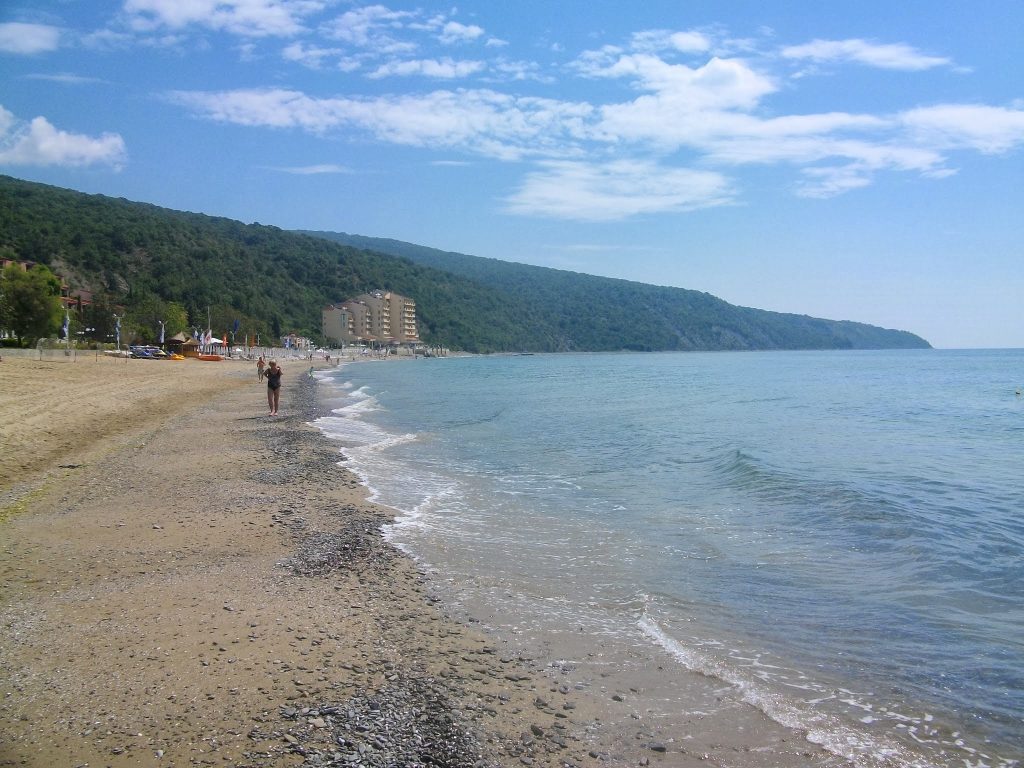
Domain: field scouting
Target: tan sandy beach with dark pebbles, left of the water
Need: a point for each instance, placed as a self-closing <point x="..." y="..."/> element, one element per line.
<point x="189" y="582"/>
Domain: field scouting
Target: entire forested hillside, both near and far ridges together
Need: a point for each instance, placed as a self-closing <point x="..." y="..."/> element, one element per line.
<point x="273" y="282"/>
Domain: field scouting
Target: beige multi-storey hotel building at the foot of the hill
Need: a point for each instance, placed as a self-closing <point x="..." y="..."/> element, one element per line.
<point x="379" y="316"/>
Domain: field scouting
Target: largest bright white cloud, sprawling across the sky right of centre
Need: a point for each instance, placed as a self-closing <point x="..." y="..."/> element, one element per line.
<point x="714" y="110"/>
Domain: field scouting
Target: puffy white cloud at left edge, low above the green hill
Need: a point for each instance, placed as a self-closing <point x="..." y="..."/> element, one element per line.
<point x="40" y="144"/>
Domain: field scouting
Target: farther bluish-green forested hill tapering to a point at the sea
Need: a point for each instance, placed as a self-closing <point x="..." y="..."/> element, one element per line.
<point x="591" y="313"/>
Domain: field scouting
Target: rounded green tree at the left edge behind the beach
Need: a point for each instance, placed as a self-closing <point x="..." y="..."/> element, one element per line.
<point x="30" y="303"/>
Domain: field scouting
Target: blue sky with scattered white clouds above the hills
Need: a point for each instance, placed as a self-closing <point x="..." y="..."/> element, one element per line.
<point x="848" y="160"/>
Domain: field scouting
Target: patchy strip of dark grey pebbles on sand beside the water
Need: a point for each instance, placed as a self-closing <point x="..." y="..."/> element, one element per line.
<point x="424" y="710"/>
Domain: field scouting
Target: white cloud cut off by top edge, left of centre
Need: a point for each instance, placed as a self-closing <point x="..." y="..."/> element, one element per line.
<point x="249" y="18"/>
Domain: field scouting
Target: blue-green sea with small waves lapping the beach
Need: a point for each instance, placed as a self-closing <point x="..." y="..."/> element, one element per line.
<point x="830" y="542"/>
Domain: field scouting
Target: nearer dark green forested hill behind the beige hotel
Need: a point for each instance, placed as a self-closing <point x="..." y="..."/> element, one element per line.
<point x="272" y="281"/>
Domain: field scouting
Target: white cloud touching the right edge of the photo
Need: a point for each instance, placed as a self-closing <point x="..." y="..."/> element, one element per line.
<point x="989" y="130"/>
